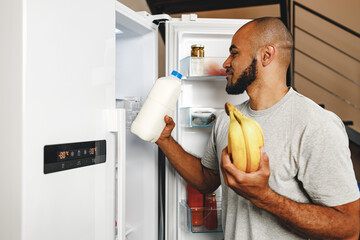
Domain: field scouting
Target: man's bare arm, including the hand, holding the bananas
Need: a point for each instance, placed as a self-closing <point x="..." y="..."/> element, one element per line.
<point x="308" y="220"/>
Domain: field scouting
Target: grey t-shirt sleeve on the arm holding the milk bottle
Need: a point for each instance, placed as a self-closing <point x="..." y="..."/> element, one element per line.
<point x="210" y="159"/>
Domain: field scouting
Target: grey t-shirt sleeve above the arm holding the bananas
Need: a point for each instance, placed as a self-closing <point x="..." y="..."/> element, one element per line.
<point x="325" y="166"/>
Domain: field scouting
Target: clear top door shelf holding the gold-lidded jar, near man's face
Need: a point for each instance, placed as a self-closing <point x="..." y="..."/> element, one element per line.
<point x="204" y="67"/>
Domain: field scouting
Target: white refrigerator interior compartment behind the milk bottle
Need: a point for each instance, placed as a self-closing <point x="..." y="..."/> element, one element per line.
<point x="136" y="71"/>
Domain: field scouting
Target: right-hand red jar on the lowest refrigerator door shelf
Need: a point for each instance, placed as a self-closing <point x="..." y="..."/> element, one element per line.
<point x="210" y="213"/>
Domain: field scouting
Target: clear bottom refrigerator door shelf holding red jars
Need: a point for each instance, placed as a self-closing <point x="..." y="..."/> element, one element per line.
<point x="186" y="218"/>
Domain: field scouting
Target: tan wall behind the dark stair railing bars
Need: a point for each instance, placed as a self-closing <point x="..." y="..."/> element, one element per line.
<point x="340" y="90"/>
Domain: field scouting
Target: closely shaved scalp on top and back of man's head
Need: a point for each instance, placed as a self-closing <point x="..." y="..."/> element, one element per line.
<point x="270" y="31"/>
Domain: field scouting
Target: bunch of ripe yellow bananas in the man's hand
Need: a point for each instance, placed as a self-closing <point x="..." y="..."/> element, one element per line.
<point x="244" y="140"/>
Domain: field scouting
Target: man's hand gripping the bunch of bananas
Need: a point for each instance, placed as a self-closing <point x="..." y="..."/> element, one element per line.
<point x="252" y="186"/>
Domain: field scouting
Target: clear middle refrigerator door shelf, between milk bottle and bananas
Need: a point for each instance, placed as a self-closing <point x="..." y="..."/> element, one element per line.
<point x="198" y="117"/>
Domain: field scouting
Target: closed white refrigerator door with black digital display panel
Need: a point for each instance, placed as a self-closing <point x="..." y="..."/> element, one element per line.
<point x="64" y="84"/>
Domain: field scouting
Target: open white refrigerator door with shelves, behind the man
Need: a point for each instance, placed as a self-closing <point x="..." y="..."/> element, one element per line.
<point x="215" y="35"/>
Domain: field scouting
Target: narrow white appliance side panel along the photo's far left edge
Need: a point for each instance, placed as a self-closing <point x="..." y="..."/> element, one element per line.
<point x="11" y="102"/>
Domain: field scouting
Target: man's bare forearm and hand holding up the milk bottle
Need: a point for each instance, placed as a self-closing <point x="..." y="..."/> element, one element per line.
<point x="189" y="167"/>
